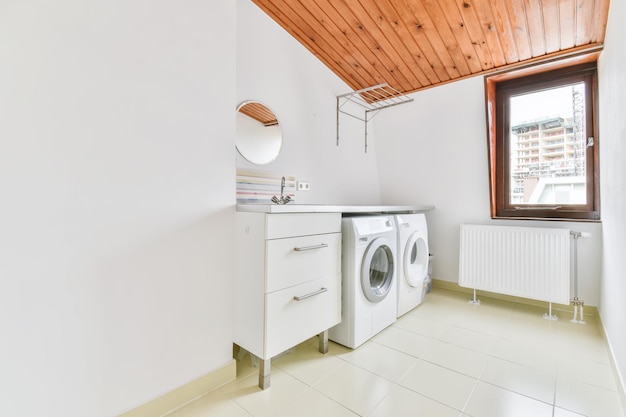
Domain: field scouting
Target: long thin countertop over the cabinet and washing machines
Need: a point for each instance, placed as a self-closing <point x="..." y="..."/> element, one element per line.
<point x="328" y="208"/>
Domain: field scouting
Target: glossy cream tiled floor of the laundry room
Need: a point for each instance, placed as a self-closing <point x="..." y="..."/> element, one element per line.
<point x="445" y="358"/>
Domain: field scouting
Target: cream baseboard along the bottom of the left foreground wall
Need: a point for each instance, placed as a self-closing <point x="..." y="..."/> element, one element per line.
<point x="182" y="395"/>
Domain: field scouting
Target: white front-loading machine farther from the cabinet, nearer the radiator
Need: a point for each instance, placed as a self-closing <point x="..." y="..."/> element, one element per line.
<point x="412" y="260"/>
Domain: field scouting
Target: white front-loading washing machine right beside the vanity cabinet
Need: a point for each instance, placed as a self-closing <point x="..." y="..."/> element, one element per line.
<point x="369" y="291"/>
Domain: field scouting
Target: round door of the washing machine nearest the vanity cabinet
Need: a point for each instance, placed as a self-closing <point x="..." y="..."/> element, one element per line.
<point x="377" y="270"/>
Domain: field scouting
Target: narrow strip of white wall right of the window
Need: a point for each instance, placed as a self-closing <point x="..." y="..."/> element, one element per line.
<point x="612" y="79"/>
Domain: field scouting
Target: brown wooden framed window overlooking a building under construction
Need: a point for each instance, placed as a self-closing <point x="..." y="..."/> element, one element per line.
<point x="543" y="143"/>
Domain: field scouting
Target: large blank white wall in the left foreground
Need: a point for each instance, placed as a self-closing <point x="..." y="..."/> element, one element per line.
<point x="117" y="171"/>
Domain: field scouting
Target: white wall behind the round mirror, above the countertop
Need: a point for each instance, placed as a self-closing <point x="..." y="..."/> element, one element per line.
<point x="272" y="67"/>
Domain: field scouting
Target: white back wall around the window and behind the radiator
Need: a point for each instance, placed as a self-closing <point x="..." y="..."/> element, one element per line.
<point x="434" y="151"/>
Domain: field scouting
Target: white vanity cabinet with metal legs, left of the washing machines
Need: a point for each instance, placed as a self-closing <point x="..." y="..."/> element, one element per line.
<point x="288" y="282"/>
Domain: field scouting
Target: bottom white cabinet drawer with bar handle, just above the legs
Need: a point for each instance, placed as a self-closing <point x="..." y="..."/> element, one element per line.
<point x="289" y="322"/>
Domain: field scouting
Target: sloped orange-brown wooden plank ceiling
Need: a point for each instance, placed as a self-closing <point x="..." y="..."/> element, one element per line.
<point x="417" y="44"/>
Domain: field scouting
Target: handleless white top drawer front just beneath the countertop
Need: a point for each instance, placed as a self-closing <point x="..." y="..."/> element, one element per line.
<point x="301" y="224"/>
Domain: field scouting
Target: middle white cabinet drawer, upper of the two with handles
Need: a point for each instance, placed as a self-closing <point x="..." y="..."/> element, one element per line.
<point x="301" y="259"/>
